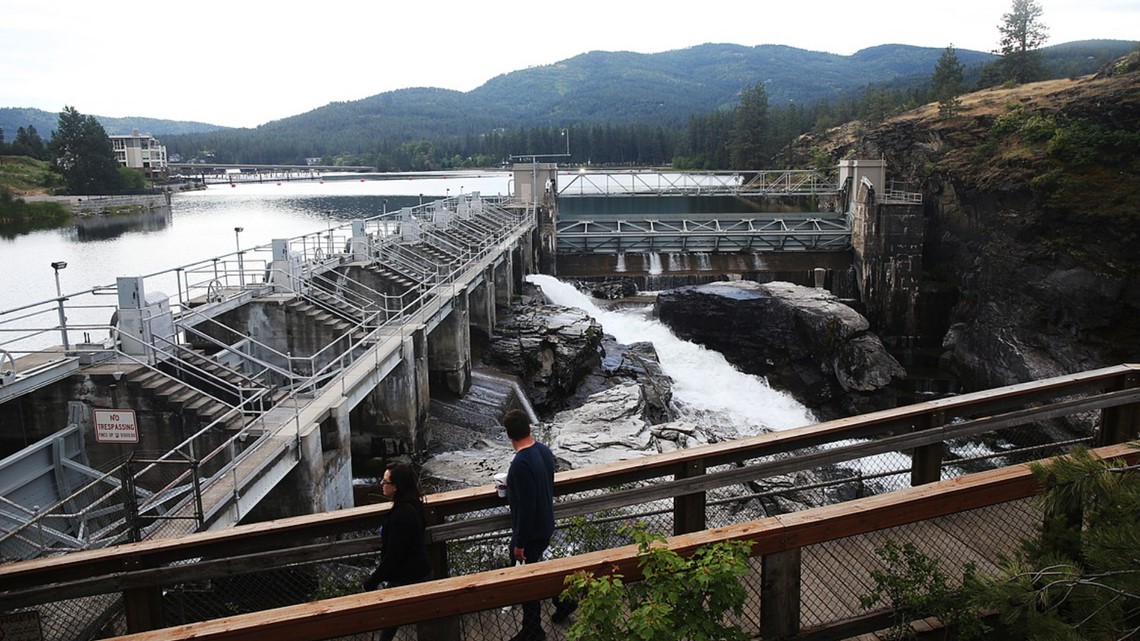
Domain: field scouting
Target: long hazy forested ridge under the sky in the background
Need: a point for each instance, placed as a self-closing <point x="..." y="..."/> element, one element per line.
<point x="599" y="88"/>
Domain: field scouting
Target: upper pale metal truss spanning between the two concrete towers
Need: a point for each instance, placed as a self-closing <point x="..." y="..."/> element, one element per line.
<point x="642" y="183"/>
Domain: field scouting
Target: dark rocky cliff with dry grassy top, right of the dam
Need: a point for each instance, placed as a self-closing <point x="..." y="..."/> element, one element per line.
<point x="1032" y="213"/>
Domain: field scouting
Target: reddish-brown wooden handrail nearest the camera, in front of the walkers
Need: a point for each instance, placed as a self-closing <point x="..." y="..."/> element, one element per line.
<point x="470" y="594"/>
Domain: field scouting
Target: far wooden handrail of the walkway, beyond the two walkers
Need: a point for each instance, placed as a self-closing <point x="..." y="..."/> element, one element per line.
<point x="898" y="428"/>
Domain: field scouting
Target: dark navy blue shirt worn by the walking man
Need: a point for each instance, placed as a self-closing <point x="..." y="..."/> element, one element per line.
<point x="531" y="494"/>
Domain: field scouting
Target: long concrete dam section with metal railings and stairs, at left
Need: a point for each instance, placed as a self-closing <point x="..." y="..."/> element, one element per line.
<point x="256" y="387"/>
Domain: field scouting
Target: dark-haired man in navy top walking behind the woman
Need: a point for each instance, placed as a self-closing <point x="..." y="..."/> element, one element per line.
<point x="531" y="494"/>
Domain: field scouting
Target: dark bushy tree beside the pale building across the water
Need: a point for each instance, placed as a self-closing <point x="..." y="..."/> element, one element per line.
<point x="82" y="151"/>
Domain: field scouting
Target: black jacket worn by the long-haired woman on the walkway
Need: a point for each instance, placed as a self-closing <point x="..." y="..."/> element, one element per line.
<point x="403" y="555"/>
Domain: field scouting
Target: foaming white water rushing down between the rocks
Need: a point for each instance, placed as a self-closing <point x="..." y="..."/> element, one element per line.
<point x="707" y="388"/>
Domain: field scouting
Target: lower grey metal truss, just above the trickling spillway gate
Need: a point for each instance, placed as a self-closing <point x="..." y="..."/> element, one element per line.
<point x="785" y="233"/>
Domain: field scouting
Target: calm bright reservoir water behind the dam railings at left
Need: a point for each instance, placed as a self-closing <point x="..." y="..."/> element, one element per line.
<point x="200" y="225"/>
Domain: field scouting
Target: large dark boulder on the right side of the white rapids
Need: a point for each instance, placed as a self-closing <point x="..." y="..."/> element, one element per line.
<point x="805" y="340"/>
